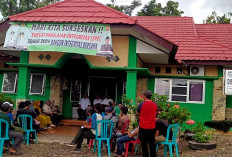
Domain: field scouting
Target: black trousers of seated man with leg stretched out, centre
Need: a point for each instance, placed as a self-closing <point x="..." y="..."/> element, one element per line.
<point x="83" y="133"/>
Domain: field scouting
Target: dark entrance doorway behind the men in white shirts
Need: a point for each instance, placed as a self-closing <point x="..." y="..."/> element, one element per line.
<point x="102" y="86"/>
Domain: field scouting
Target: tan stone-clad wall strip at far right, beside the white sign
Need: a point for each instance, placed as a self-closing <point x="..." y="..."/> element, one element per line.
<point x="219" y="101"/>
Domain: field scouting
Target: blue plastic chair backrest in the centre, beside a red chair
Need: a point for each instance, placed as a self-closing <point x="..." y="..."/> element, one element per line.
<point x="106" y="129"/>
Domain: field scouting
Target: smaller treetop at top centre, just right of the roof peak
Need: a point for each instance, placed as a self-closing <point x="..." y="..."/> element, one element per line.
<point x="126" y="9"/>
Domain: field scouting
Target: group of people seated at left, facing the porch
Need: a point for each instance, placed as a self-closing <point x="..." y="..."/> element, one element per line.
<point x="44" y="116"/>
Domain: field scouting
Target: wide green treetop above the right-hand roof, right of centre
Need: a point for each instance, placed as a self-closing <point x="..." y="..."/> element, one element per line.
<point x="156" y="9"/>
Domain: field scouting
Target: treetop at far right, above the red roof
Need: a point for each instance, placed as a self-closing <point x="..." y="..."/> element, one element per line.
<point x="214" y="18"/>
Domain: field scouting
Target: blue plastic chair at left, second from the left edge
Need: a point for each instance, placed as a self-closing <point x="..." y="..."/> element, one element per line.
<point x="23" y="123"/>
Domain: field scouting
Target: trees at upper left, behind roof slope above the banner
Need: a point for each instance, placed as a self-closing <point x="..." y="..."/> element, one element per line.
<point x="11" y="7"/>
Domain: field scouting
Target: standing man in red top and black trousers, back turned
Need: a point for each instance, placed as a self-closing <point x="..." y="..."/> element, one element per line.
<point x="147" y="122"/>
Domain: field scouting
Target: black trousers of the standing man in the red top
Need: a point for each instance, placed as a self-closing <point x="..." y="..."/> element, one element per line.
<point x="147" y="138"/>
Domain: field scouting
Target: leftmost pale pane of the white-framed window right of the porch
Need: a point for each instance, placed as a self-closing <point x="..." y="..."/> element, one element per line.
<point x="162" y="87"/>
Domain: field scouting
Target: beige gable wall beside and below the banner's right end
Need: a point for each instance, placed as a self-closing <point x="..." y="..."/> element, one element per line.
<point x="120" y="47"/>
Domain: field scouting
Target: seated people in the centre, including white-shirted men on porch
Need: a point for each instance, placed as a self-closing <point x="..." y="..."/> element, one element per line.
<point x="116" y="114"/>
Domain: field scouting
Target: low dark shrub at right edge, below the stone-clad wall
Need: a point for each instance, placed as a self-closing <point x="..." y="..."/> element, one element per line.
<point x="223" y="125"/>
